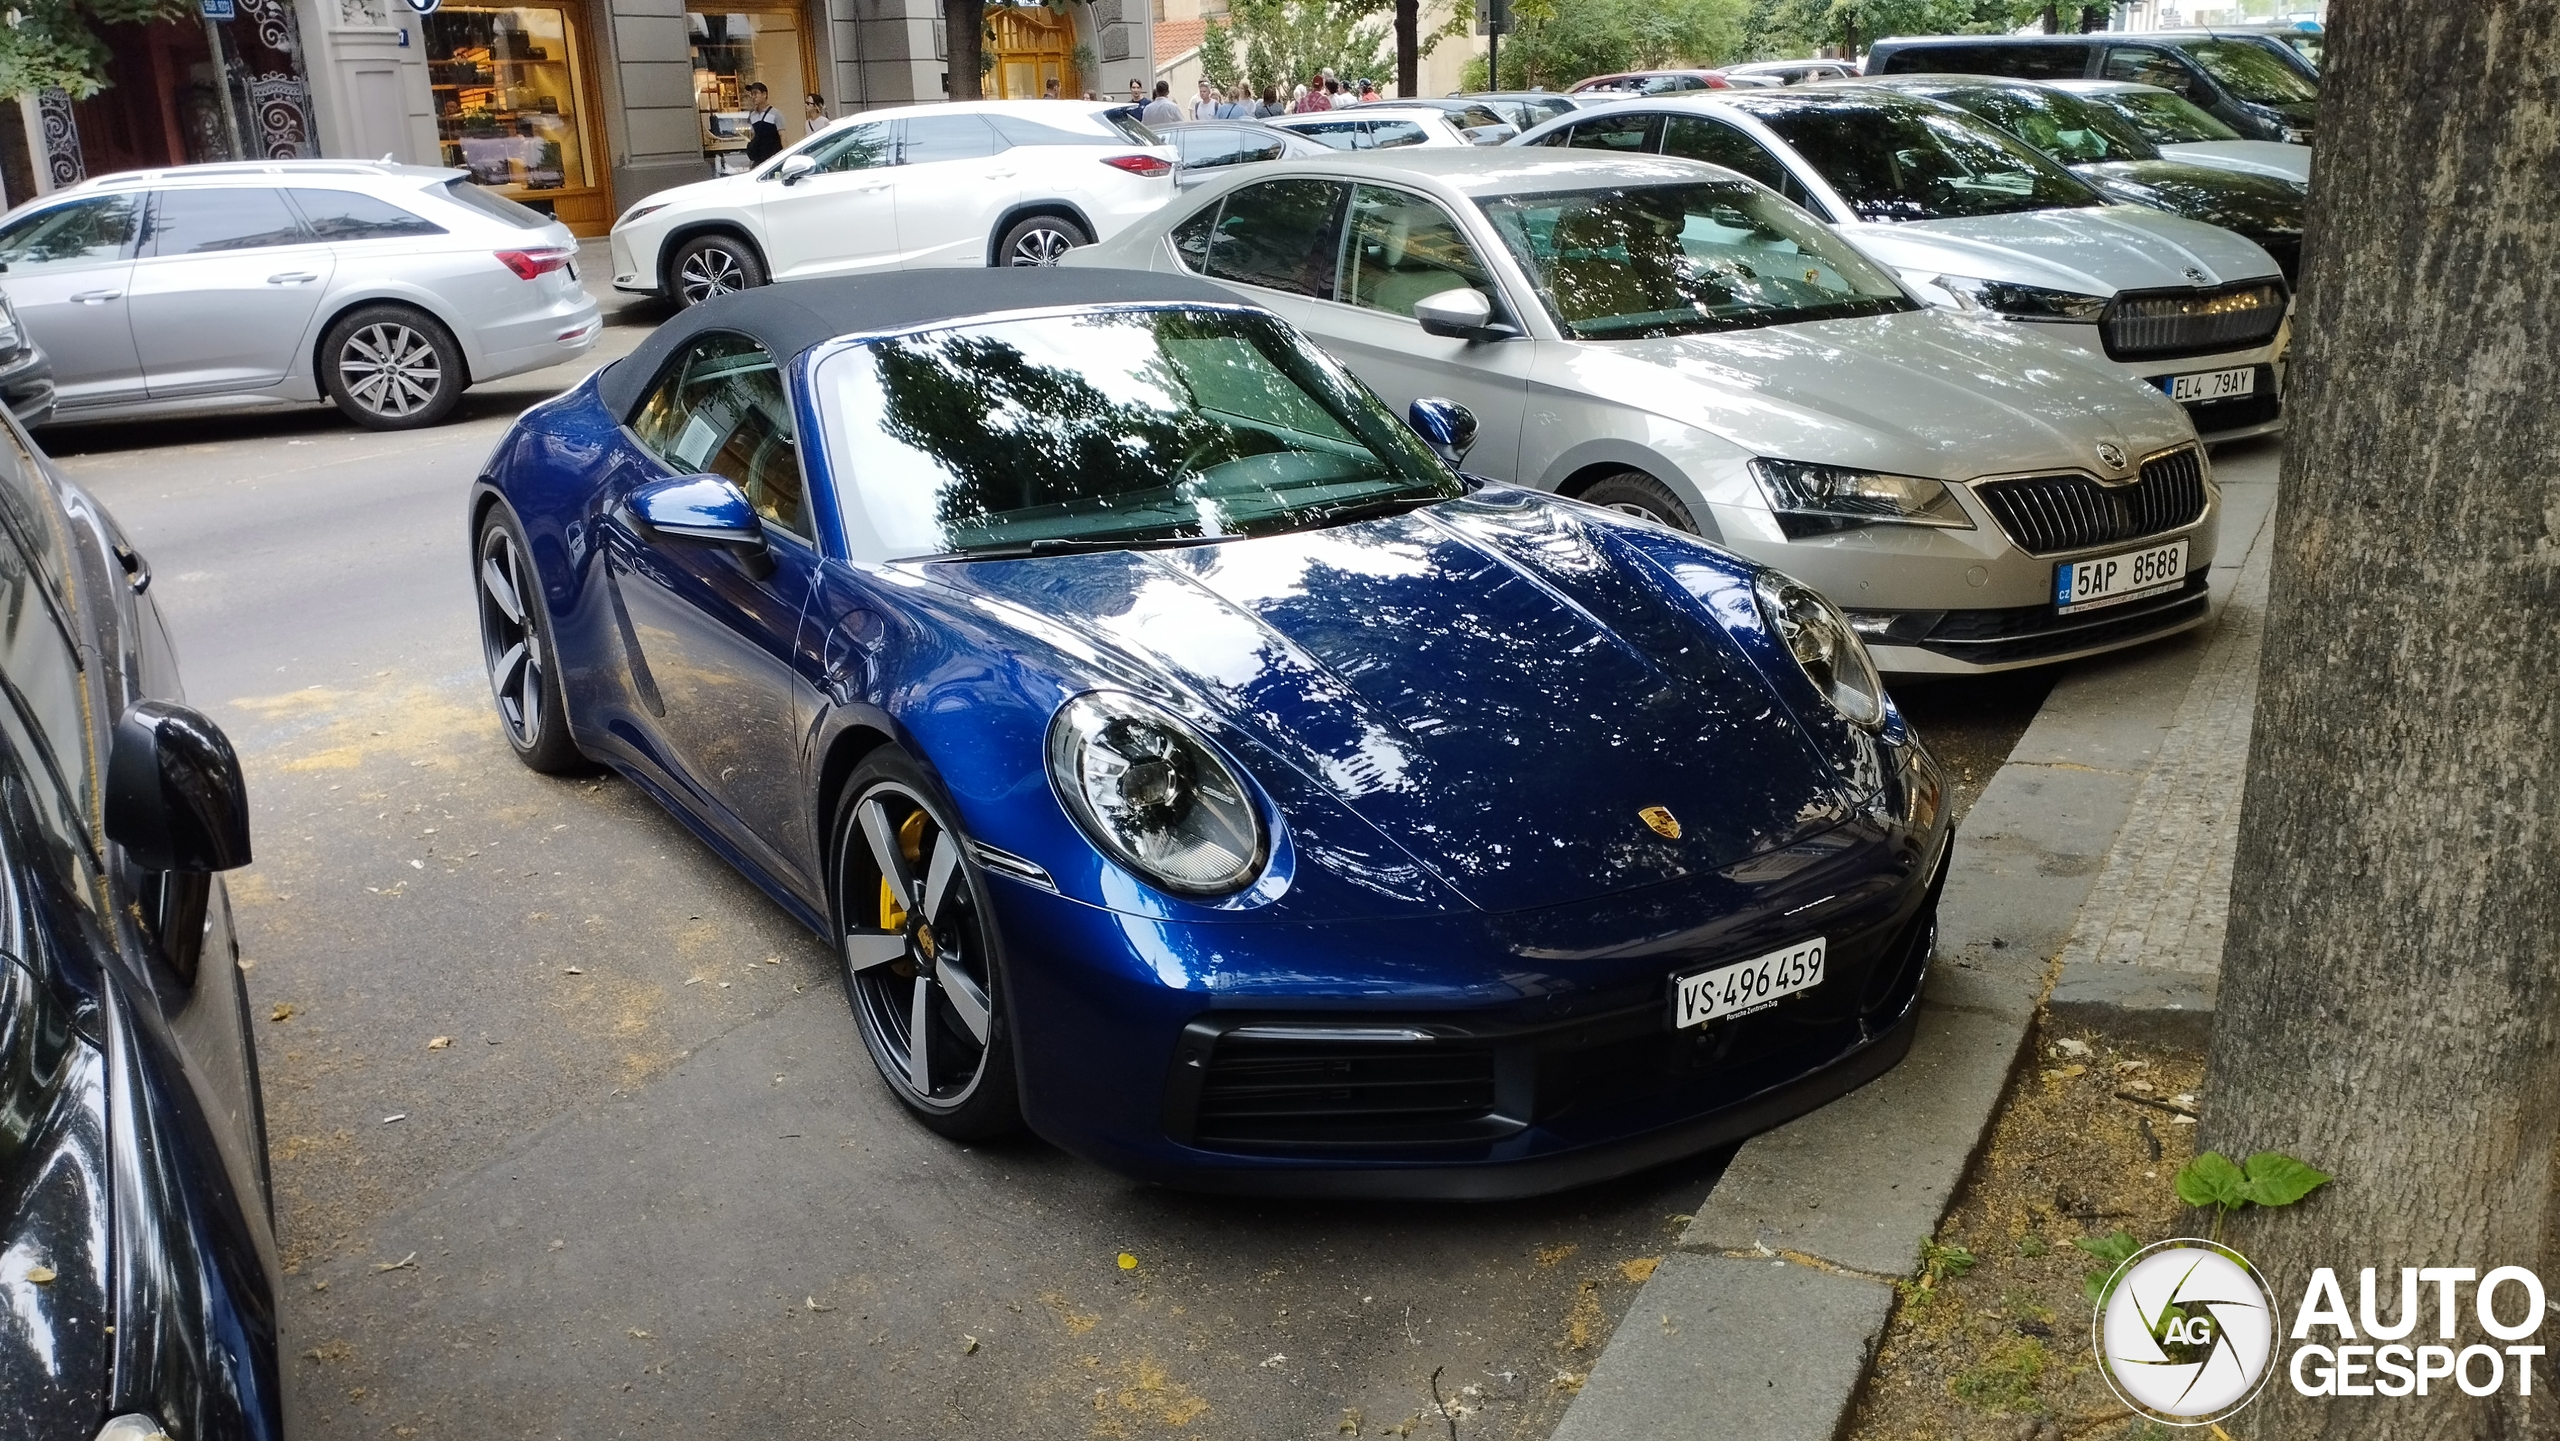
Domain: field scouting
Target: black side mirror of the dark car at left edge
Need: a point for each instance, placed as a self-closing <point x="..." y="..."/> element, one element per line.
<point x="175" y="795"/>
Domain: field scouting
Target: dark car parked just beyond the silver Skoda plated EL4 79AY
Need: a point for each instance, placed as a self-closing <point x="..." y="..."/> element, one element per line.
<point x="2124" y="165"/>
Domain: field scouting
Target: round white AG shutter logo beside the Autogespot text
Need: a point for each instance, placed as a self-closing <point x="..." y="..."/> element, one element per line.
<point x="2188" y="1332"/>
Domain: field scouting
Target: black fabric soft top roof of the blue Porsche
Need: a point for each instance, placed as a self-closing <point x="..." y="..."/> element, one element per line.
<point x="795" y="316"/>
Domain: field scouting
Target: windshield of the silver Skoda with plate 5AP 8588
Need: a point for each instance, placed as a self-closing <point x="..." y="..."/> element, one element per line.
<point x="1686" y="260"/>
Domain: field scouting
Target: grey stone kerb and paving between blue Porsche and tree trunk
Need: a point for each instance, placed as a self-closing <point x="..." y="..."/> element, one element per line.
<point x="1765" y="1317"/>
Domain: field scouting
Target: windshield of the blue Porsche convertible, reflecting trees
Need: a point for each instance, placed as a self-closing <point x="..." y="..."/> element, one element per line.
<point x="1110" y="429"/>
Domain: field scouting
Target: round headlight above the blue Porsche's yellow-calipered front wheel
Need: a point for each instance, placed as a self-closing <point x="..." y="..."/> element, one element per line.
<point x="1156" y="797"/>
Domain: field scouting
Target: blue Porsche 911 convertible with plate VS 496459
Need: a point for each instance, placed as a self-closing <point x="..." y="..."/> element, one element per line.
<point x="1189" y="761"/>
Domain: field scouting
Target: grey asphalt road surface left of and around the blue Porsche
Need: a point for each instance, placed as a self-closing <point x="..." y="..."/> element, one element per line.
<point x="575" y="1135"/>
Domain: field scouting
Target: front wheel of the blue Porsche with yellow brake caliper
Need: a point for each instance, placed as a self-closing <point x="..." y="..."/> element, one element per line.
<point x="933" y="966"/>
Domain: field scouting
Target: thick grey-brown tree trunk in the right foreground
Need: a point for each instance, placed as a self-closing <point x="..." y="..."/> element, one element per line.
<point x="2392" y="971"/>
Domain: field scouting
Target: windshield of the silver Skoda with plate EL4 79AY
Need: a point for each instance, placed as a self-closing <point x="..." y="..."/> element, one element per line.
<point x="1914" y="160"/>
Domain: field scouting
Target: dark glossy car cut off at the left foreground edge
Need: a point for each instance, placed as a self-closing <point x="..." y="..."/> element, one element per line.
<point x="137" y="1230"/>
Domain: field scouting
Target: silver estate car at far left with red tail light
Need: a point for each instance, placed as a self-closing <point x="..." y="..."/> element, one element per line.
<point x="380" y="288"/>
